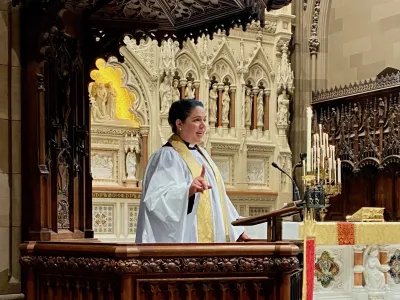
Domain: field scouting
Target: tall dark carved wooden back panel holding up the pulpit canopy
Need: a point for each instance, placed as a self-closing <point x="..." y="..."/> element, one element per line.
<point x="55" y="130"/>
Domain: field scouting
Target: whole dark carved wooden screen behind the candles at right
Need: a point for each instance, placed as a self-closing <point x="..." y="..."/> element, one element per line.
<point x="363" y="122"/>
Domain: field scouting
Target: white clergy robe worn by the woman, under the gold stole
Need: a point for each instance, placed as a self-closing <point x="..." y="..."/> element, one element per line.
<point x="165" y="215"/>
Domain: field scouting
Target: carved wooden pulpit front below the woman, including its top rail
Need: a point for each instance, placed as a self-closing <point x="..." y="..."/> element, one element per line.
<point x="92" y="270"/>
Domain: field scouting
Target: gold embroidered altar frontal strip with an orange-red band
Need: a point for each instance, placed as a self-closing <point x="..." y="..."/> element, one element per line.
<point x="360" y="233"/>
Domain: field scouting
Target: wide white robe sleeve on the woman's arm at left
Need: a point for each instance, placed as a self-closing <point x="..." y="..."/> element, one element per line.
<point x="165" y="196"/>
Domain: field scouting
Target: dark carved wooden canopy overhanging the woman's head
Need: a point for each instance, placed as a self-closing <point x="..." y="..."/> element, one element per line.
<point x="182" y="20"/>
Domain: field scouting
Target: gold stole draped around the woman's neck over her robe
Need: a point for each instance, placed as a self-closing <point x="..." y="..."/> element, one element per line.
<point x="204" y="211"/>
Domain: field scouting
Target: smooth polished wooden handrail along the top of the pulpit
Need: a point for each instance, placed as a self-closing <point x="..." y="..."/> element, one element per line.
<point x="126" y="250"/>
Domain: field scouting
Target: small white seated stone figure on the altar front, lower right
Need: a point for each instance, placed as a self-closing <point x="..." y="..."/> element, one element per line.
<point x="373" y="273"/>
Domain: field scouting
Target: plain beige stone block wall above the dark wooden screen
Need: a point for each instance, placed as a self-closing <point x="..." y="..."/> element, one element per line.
<point x="363" y="38"/>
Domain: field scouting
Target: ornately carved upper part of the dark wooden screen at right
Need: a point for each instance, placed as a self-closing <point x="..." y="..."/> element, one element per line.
<point x="364" y="126"/>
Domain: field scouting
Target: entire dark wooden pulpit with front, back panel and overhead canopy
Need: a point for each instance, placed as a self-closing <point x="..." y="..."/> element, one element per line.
<point x="60" y="257"/>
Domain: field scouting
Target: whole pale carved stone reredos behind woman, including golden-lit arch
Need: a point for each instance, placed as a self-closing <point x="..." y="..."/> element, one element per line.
<point x="245" y="82"/>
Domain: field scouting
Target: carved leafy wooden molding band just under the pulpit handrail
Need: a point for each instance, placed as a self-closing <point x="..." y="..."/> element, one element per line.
<point x="165" y="265"/>
